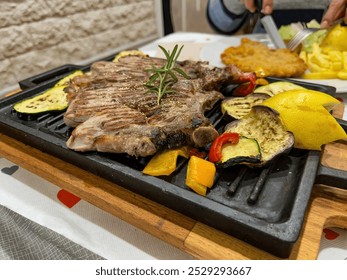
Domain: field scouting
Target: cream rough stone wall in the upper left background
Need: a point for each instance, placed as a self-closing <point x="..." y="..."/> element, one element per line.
<point x="38" y="35"/>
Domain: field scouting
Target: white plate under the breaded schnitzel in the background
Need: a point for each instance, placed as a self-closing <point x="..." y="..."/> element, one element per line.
<point x="211" y="53"/>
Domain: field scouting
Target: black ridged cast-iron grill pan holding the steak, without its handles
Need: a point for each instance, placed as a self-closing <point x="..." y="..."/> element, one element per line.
<point x="264" y="207"/>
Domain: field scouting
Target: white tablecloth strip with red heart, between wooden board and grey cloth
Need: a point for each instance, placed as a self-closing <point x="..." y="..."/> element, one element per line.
<point x="46" y="204"/>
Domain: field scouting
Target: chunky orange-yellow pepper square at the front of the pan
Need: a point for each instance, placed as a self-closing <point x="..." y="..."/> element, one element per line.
<point x="200" y="175"/>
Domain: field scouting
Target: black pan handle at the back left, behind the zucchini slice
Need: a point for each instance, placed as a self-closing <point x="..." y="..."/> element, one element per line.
<point x="49" y="75"/>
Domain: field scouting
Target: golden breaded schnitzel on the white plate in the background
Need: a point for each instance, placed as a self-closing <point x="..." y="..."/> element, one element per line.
<point x="252" y="56"/>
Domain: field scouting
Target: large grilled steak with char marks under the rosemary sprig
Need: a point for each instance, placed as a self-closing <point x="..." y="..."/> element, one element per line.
<point x="112" y="112"/>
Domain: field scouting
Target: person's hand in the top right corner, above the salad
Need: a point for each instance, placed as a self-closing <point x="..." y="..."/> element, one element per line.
<point x="337" y="10"/>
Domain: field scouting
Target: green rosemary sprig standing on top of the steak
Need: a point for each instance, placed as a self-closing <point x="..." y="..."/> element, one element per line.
<point x="162" y="79"/>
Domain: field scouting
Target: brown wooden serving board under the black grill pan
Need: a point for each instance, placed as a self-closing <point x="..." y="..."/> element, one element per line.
<point x="327" y="207"/>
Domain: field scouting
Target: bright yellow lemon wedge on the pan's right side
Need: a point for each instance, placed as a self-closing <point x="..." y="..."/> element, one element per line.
<point x="306" y="114"/>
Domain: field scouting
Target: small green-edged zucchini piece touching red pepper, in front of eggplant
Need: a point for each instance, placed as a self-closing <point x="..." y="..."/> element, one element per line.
<point x="247" y="150"/>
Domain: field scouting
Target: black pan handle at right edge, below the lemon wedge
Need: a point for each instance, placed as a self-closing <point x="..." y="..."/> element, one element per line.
<point x="331" y="176"/>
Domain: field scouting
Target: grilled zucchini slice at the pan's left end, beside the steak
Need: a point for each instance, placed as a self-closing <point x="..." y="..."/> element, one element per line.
<point x="53" y="99"/>
